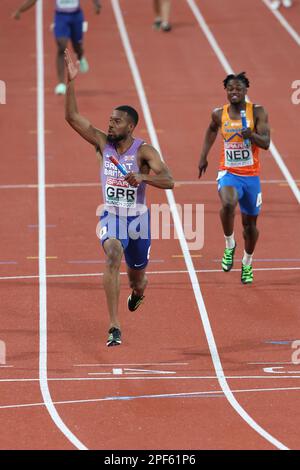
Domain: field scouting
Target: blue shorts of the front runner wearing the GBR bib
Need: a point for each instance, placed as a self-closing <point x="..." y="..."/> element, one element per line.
<point x="133" y="233"/>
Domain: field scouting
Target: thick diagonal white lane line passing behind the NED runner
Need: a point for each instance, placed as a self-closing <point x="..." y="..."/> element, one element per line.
<point x="228" y="69"/>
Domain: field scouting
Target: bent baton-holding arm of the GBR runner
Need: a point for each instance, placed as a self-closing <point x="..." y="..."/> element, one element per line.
<point x="161" y="179"/>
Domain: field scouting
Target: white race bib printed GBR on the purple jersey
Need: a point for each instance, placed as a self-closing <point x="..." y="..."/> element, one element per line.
<point x="119" y="194"/>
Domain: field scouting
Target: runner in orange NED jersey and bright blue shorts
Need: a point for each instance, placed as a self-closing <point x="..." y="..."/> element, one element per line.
<point x="238" y="177"/>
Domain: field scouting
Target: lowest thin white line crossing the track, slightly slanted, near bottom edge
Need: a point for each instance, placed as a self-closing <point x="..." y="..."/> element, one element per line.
<point x="202" y="394"/>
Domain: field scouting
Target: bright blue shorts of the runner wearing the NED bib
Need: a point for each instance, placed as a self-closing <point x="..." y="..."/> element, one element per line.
<point x="248" y="189"/>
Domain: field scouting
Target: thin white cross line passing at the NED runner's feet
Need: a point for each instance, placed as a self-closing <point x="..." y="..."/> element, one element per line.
<point x="183" y="271"/>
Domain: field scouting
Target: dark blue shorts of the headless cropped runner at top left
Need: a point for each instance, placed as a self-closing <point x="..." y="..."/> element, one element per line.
<point x="69" y="25"/>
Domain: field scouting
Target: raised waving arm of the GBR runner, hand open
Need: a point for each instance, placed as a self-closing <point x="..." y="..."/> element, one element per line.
<point x="79" y="123"/>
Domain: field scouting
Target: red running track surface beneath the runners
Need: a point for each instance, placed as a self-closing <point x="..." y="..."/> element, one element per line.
<point x="162" y="378"/>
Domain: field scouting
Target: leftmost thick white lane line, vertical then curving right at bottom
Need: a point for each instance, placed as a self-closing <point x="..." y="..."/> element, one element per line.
<point x="43" y="375"/>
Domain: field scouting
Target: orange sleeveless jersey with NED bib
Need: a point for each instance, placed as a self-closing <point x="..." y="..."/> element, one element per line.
<point x="236" y="157"/>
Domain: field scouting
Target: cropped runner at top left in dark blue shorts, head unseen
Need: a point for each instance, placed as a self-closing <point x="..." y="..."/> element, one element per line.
<point x="68" y="25"/>
